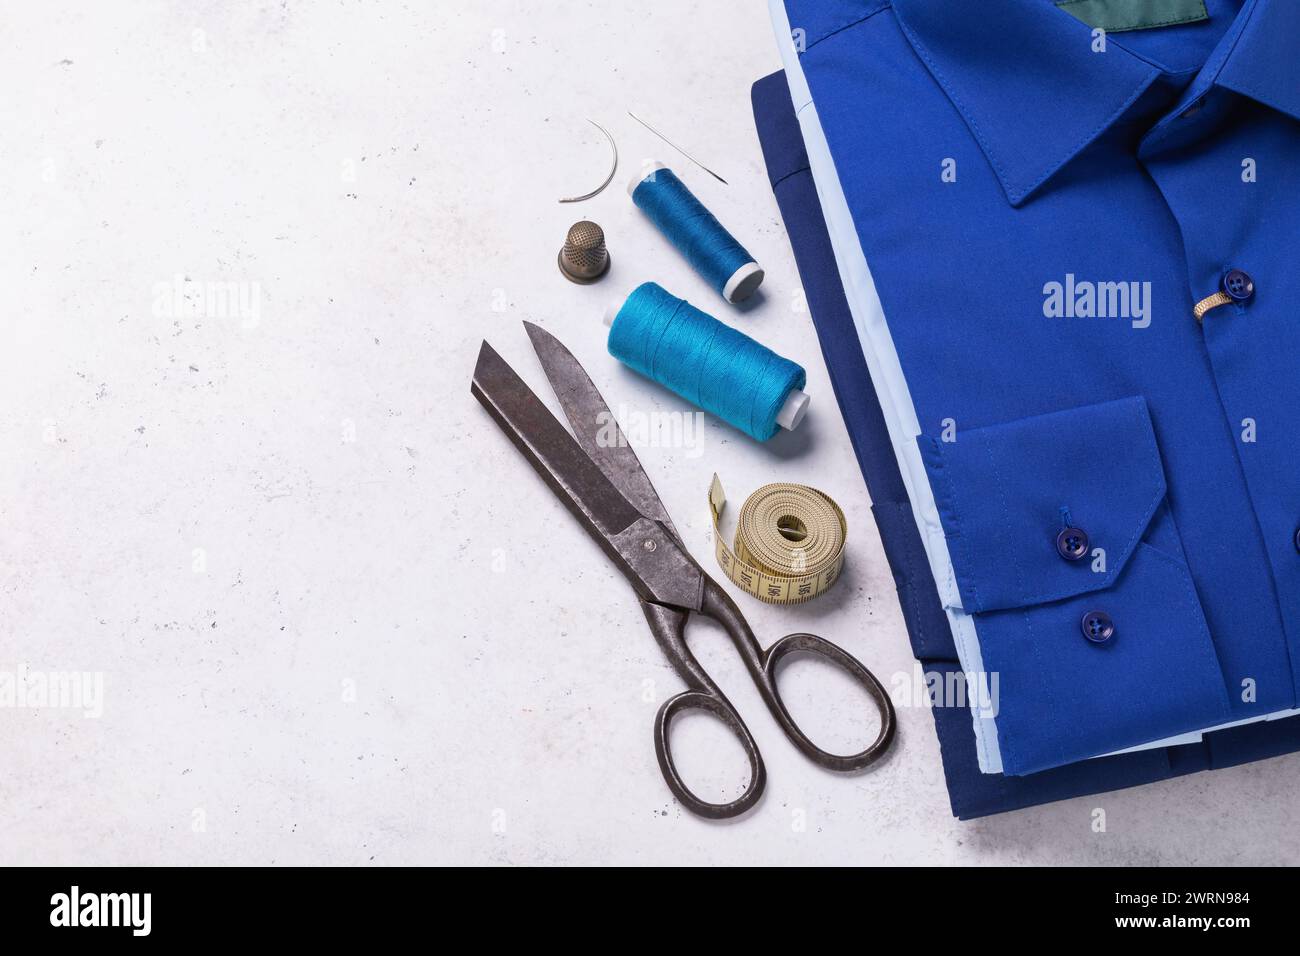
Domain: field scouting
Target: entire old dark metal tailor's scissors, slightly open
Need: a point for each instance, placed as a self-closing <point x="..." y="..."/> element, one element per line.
<point x="599" y="477"/>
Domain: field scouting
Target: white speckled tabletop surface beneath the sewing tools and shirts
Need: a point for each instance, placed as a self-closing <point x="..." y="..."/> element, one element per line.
<point x="241" y="520"/>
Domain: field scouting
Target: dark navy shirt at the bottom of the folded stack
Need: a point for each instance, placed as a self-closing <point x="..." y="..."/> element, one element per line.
<point x="973" y="794"/>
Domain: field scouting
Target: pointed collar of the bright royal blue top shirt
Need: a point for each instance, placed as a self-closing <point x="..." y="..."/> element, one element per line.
<point x="1024" y="76"/>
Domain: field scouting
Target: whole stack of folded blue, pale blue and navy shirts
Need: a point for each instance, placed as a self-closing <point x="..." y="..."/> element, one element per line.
<point x="1050" y="252"/>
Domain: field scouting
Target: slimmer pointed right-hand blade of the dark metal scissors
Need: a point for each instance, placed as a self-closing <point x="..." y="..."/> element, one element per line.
<point x="595" y="426"/>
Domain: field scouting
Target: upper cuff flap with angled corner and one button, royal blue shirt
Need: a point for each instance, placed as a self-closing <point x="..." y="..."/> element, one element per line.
<point x="1008" y="492"/>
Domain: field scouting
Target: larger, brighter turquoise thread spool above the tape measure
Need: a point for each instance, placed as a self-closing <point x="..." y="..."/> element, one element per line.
<point x="710" y="365"/>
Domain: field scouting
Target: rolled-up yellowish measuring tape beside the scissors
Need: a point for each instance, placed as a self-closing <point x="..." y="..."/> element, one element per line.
<point x="790" y="542"/>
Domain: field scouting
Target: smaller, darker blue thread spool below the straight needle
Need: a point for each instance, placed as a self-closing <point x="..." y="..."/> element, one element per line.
<point x="697" y="233"/>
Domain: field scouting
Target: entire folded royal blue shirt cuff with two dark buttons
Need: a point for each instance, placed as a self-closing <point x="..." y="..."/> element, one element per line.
<point x="1067" y="555"/>
